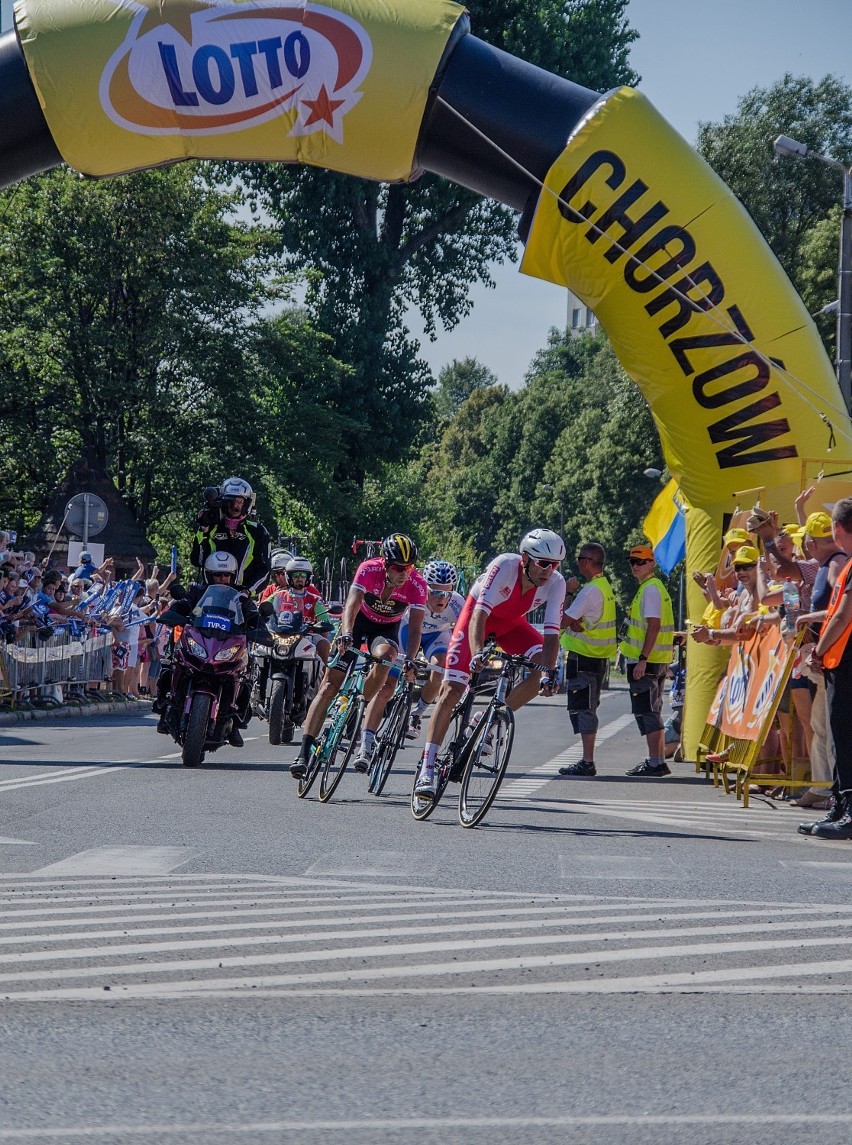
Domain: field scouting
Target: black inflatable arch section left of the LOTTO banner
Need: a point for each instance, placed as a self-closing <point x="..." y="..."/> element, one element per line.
<point x="26" y="144"/>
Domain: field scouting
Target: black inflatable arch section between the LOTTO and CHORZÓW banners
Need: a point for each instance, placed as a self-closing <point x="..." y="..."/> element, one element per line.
<point x="525" y="112"/>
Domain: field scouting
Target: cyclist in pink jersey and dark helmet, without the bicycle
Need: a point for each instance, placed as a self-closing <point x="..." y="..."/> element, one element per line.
<point x="382" y="590"/>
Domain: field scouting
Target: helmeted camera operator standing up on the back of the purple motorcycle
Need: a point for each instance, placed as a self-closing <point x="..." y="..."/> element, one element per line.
<point x="226" y="525"/>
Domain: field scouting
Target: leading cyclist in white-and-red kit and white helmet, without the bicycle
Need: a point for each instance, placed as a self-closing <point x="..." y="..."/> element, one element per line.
<point x="514" y="586"/>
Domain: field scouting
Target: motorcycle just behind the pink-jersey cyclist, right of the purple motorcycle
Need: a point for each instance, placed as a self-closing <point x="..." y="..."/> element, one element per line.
<point x="288" y="672"/>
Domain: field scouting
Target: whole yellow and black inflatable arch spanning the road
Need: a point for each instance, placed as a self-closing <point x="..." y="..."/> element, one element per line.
<point x="614" y="204"/>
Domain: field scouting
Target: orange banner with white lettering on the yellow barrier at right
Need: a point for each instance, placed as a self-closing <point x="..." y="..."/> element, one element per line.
<point x="746" y="696"/>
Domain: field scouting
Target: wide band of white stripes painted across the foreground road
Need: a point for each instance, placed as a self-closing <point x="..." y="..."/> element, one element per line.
<point x="175" y="937"/>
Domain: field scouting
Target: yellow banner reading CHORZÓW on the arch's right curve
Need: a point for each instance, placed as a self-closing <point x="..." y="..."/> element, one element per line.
<point x="696" y="304"/>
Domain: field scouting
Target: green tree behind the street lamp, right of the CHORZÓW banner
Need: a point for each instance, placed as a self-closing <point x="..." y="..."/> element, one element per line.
<point x="788" y="200"/>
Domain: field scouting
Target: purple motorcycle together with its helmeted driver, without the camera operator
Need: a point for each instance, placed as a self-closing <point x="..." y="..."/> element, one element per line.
<point x="210" y="664"/>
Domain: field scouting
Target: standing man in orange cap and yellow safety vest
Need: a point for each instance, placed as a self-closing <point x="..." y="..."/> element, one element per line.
<point x="648" y="647"/>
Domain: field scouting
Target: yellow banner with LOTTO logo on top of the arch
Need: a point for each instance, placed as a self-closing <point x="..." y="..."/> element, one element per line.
<point x="132" y="84"/>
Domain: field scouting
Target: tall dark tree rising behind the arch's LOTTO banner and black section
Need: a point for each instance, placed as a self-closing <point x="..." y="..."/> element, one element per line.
<point x="369" y="251"/>
